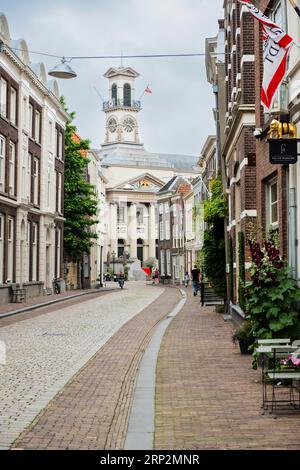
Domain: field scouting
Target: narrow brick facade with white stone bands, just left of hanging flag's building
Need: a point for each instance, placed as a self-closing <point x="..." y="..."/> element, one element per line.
<point x="238" y="149"/>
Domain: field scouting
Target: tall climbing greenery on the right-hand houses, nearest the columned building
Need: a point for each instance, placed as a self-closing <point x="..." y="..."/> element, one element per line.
<point x="215" y="210"/>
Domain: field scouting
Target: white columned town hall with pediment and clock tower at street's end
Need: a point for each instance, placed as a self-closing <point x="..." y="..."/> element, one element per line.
<point x="134" y="175"/>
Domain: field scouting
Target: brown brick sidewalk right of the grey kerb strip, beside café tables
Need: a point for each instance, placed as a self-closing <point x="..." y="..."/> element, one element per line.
<point x="207" y="394"/>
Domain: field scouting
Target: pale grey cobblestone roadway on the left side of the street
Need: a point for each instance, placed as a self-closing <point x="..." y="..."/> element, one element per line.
<point x="44" y="352"/>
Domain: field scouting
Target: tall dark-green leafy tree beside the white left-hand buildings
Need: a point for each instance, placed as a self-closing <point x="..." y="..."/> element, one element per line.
<point x="80" y="201"/>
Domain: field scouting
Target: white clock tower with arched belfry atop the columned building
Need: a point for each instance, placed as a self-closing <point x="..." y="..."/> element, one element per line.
<point x="122" y="107"/>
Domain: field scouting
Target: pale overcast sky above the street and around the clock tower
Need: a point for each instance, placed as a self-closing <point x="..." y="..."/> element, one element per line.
<point x="177" y="116"/>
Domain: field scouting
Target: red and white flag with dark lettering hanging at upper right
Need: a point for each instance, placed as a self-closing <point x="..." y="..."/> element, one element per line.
<point x="276" y="47"/>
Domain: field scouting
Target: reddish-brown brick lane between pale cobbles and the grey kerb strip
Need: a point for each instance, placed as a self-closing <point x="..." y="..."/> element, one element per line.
<point x="91" y="412"/>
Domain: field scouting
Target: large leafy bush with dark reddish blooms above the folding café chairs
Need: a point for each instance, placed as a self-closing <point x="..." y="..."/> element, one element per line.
<point x="271" y="294"/>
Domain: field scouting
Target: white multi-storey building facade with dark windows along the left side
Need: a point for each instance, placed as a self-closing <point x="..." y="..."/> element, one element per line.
<point x="32" y="123"/>
